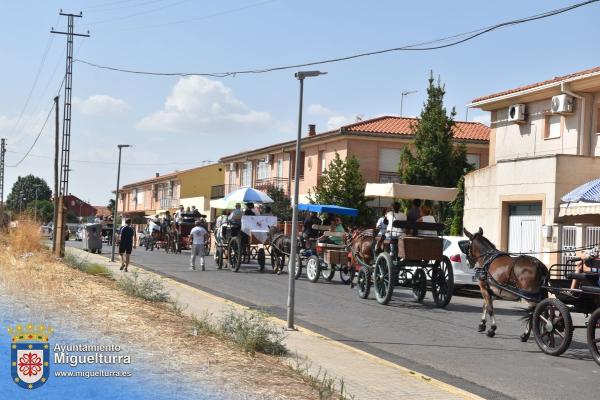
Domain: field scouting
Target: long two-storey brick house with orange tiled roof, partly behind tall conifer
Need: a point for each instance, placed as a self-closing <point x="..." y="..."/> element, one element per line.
<point x="376" y="143"/>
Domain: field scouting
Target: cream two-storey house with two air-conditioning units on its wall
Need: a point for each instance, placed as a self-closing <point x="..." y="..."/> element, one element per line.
<point x="543" y="143"/>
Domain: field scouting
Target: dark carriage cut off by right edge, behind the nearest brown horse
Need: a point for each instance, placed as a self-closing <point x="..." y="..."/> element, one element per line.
<point x="552" y="324"/>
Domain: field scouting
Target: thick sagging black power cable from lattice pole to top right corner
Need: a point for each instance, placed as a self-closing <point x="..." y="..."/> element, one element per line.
<point x="464" y="37"/>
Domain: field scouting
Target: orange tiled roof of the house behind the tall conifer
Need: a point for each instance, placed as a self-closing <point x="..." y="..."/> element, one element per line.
<point x="402" y="126"/>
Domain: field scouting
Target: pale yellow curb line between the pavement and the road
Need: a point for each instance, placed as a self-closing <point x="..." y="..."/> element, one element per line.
<point x="405" y="371"/>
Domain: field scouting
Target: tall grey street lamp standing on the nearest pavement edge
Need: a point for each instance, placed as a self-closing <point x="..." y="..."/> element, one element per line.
<point x="300" y="75"/>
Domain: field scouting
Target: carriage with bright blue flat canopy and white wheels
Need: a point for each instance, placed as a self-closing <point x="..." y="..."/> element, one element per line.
<point x="325" y="258"/>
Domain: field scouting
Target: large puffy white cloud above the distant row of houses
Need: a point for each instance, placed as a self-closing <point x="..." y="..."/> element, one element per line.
<point x="203" y="106"/>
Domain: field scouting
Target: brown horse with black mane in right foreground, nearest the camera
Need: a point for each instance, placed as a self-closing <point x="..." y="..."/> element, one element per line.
<point x="506" y="277"/>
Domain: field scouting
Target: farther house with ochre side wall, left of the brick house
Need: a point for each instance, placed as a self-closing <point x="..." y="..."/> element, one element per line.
<point x="168" y="192"/>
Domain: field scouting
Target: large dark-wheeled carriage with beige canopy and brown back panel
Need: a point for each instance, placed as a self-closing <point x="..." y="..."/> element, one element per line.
<point x="412" y="258"/>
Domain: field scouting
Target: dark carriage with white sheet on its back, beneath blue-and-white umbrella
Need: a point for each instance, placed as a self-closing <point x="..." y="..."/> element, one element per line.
<point x="235" y="241"/>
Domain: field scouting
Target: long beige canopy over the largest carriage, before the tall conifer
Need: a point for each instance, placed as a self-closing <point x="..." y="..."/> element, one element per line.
<point x="405" y="191"/>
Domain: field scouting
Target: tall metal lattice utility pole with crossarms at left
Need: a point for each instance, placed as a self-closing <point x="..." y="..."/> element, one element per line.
<point x="66" y="137"/>
